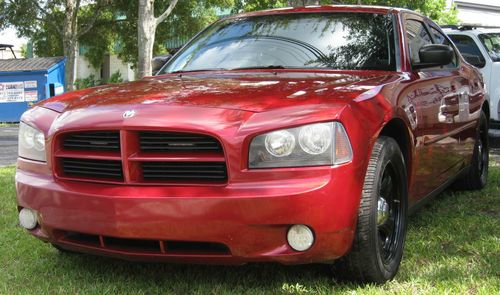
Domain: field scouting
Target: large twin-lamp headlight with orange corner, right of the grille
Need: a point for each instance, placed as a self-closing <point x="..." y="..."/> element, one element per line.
<point x="308" y="145"/>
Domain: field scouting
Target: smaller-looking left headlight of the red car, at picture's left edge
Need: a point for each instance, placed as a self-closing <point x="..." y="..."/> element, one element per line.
<point x="31" y="143"/>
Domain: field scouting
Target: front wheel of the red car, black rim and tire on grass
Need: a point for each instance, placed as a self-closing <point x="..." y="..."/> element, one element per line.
<point x="379" y="239"/>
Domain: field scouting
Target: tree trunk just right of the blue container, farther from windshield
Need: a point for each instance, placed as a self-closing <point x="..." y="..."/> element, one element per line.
<point x="70" y="41"/>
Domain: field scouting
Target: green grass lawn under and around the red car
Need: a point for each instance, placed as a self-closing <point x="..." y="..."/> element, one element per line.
<point x="453" y="247"/>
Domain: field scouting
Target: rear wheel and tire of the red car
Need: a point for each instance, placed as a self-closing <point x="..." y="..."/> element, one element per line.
<point x="477" y="176"/>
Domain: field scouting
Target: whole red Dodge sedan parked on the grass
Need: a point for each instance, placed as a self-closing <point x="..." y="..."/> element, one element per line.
<point x="295" y="135"/>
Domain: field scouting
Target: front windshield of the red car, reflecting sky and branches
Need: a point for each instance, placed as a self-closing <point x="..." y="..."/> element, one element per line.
<point x="347" y="41"/>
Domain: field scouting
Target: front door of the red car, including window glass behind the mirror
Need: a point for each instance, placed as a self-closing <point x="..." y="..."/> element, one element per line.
<point x="435" y="95"/>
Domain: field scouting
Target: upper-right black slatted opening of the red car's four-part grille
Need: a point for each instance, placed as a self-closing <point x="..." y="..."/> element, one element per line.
<point x="152" y="141"/>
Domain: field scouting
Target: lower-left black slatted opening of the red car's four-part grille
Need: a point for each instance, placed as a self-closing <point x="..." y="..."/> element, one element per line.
<point x="95" y="169"/>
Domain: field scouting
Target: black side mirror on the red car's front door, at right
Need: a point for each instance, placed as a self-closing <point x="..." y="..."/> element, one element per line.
<point x="434" y="55"/>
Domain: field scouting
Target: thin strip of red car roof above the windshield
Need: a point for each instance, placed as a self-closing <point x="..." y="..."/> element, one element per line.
<point x="323" y="8"/>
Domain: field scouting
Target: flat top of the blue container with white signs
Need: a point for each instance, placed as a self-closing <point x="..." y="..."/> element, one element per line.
<point x="29" y="64"/>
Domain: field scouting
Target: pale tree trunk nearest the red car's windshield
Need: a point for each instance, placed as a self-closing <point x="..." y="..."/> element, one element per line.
<point x="146" y="29"/>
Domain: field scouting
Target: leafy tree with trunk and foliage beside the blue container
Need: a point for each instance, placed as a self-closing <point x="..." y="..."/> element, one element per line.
<point x="55" y="26"/>
